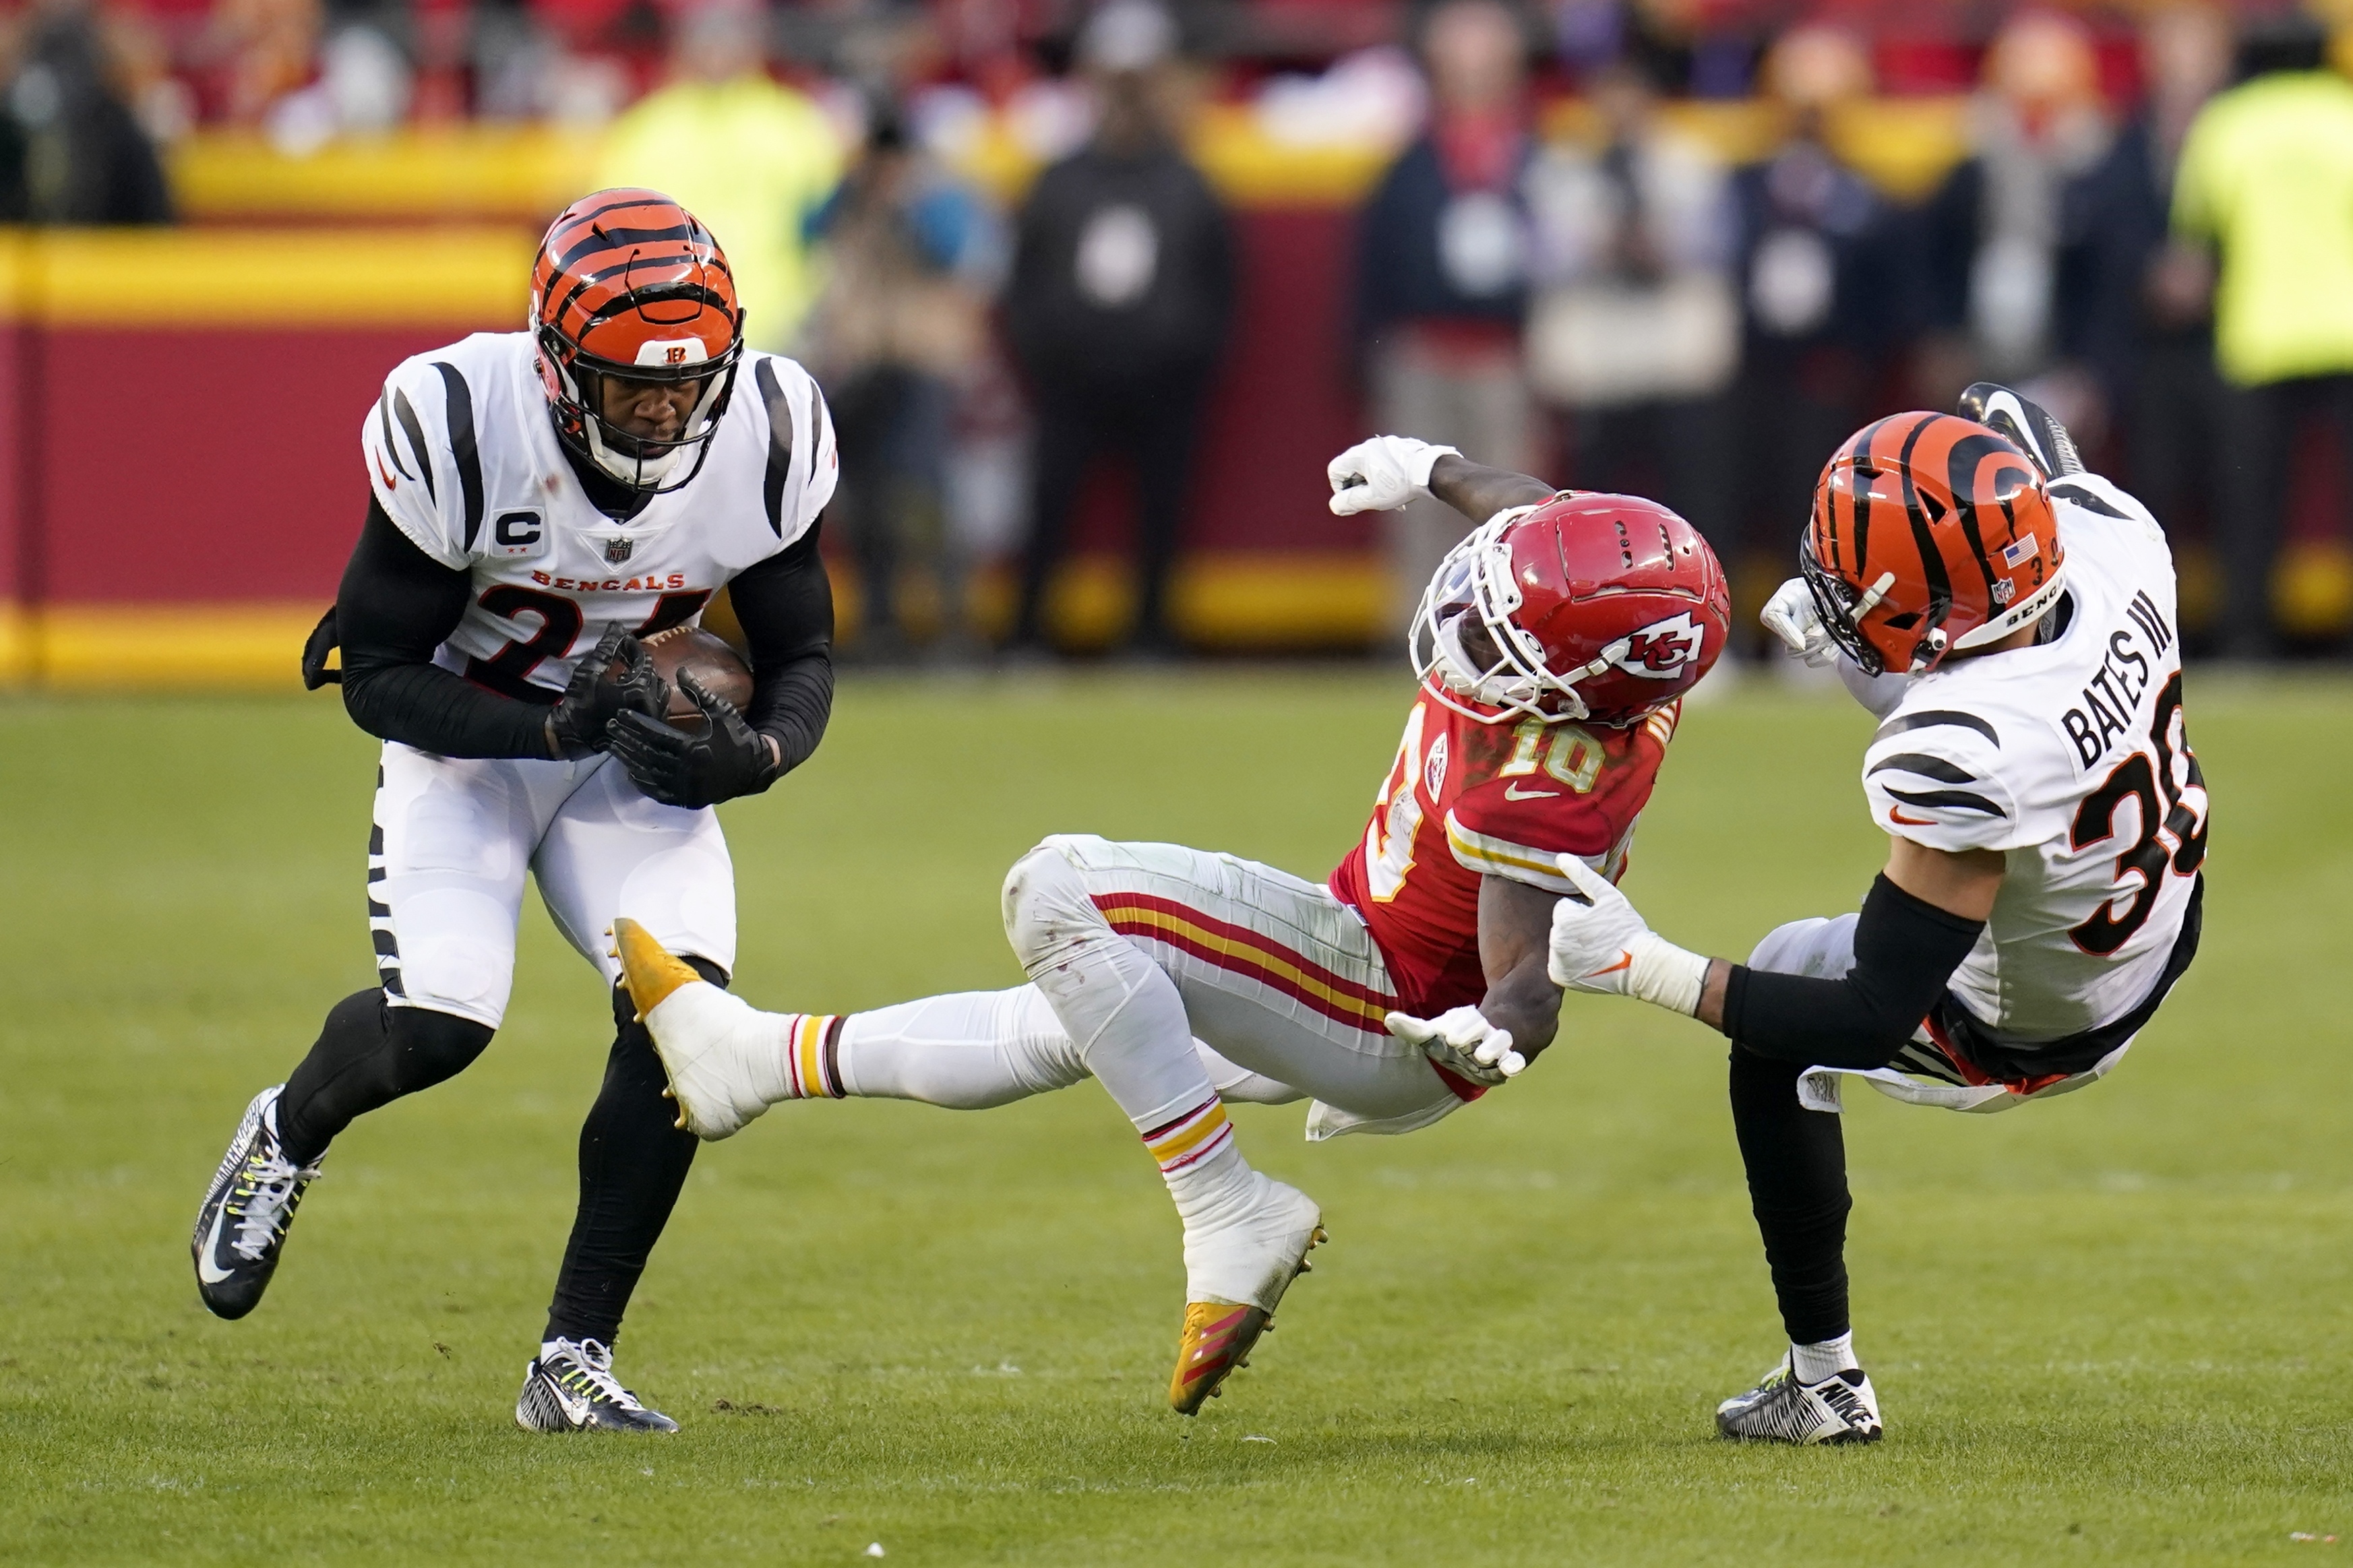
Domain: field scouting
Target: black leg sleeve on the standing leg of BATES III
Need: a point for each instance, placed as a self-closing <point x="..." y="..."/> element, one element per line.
<point x="1799" y="1191"/>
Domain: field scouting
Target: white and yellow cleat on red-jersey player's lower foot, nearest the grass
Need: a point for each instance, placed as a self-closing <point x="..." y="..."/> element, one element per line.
<point x="1237" y="1273"/>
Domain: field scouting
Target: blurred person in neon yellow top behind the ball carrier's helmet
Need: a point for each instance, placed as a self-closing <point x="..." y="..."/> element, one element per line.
<point x="745" y="154"/>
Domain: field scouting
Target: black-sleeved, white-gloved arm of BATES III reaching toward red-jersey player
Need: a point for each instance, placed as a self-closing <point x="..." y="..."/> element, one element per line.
<point x="1919" y="923"/>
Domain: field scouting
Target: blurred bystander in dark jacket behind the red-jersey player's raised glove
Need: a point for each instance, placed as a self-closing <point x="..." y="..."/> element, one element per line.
<point x="1441" y="279"/>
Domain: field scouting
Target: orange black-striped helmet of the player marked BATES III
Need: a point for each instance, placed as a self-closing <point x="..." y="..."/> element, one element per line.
<point x="1931" y="535"/>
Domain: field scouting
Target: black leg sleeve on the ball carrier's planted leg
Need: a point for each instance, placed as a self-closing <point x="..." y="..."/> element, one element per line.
<point x="634" y="1160"/>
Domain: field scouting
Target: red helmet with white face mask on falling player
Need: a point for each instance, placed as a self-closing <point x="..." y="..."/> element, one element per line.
<point x="1587" y="608"/>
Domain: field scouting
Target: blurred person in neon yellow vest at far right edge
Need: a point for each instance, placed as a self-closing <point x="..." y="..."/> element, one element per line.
<point x="2267" y="182"/>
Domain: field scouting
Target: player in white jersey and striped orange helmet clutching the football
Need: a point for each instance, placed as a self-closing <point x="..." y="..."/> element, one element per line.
<point x="540" y="504"/>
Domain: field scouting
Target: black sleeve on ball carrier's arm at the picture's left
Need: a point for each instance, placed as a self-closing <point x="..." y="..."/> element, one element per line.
<point x="394" y="610"/>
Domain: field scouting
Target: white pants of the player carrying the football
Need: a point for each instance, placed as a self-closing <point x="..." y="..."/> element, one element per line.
<point x="453" y="845"/>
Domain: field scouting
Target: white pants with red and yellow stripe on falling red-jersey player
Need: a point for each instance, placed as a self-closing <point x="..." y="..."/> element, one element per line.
<point x="1281" y="986"/>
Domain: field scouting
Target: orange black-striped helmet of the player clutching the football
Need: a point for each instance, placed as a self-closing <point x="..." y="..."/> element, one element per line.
<point x="632" y="286"/>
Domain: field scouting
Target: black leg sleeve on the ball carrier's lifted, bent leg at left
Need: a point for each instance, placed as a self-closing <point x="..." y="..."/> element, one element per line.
<point x="366" y="1057"/>
